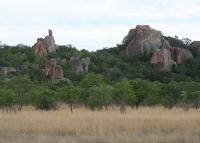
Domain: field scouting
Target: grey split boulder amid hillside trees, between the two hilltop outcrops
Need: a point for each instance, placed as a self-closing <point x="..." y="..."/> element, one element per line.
<point x="81" y="65"/>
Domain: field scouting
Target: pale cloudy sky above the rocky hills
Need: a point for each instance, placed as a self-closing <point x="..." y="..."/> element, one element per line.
<point x="95" y="24"/>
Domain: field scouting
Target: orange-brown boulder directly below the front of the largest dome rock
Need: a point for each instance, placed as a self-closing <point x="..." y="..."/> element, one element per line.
<point x="161" y="59"/>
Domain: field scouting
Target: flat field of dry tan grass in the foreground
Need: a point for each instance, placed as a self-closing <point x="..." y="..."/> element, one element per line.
<point x="145" y="125"/>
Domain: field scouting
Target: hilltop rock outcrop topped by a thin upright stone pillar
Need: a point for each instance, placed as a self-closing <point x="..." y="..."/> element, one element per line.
<point x="45" y="46"/>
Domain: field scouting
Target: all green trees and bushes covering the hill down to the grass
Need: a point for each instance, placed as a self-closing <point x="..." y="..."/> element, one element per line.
<point x="113" y="79"/>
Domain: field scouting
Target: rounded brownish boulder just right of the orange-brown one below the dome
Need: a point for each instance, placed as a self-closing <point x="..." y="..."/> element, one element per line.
<point x="179" y="54"/>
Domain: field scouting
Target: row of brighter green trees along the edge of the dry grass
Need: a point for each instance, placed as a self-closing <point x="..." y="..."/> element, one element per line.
<point x="95" y="93"/>
